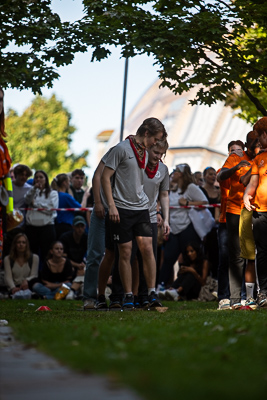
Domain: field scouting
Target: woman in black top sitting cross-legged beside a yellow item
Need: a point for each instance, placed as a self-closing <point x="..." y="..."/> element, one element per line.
<point x="56" y="275"/>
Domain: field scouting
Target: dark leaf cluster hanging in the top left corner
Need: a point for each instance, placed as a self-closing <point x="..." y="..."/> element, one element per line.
<point x="33" y="42"/>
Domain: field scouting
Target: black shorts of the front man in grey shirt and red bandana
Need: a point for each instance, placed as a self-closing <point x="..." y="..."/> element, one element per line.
<point x="132" y="223"/>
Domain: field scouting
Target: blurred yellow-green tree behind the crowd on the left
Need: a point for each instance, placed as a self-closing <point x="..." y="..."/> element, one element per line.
<point x="41" y="137"/>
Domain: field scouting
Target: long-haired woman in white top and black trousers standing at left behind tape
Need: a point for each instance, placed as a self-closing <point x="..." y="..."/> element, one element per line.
<point x="40" y="225"/>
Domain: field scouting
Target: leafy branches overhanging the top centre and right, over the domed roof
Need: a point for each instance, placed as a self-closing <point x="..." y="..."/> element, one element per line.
<point x="218" y="45"/>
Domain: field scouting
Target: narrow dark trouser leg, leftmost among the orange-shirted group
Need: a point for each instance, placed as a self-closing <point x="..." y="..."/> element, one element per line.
<point x="223" y="268"/>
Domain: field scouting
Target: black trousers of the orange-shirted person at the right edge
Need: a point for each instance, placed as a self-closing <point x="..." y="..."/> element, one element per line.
<point x="259" y="221"/>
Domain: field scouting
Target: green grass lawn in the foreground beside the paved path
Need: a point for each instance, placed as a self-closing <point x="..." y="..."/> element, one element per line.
<point x="191" y="351"/>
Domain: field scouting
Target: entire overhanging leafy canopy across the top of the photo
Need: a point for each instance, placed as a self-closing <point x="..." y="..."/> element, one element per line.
<point x="216" y="45"/>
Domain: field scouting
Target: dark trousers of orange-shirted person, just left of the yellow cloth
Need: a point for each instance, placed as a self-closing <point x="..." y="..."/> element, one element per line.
<point x="236" y="263"/>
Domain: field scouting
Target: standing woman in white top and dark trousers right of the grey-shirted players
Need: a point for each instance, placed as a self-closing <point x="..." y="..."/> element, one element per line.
<point x="184" y="193"/>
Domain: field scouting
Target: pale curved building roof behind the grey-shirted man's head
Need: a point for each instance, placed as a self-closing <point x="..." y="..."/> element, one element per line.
<point x="197" y="134"/>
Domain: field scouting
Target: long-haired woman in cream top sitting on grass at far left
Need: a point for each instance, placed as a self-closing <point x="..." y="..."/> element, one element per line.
<point x="21" y="268"/>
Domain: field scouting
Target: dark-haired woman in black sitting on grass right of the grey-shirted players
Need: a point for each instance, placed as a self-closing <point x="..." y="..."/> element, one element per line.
<point x="192" y="275"/>
